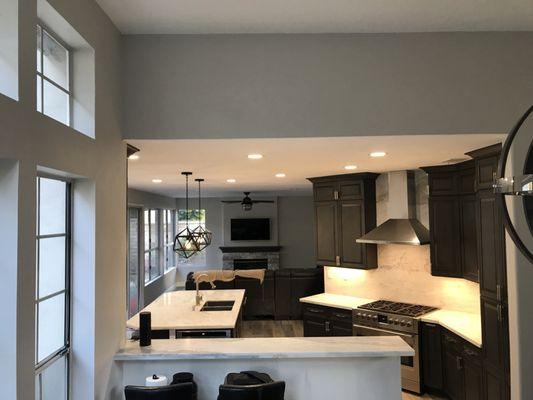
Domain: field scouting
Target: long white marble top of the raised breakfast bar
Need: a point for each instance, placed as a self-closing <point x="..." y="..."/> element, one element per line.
<point x="255" y="348"/>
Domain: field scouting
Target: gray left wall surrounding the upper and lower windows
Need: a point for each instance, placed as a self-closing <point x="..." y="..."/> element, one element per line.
<point x="98" y="168"/>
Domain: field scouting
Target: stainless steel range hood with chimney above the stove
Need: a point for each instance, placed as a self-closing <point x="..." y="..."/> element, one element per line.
<point x="404" y="228"/>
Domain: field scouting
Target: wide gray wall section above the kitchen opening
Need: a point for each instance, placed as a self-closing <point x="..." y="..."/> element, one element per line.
<point x="214" y="86"/>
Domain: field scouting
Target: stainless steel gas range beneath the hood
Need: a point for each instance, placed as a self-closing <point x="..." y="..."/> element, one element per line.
<point x="388" y="318"/>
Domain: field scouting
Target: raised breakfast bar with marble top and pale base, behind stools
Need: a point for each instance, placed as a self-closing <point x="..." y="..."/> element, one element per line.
<point x="313" y="368"/>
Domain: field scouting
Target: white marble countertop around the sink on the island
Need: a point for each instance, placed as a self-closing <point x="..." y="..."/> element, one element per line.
<point x="174" y="310"/>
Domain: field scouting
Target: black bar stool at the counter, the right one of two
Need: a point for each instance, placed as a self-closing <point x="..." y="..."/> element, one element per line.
<point x="251" y="385"/>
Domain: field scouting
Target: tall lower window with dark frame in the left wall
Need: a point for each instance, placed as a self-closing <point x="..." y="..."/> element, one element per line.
<point x="52" y="300"/>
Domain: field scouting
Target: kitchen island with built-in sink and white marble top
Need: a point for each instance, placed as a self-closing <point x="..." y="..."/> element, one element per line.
<point x="176" y="315"/>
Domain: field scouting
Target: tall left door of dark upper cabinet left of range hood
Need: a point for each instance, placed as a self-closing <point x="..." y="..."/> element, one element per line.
<point x="326" y="232"/>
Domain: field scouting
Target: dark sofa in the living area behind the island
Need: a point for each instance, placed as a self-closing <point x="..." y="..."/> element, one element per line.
<point x="278" y="296"/>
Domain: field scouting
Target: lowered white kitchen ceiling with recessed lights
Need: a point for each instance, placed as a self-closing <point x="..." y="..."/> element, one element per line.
<point x="218" y="160"/>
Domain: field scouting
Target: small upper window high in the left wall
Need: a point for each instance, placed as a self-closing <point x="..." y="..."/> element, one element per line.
<point x="53" y="77"/>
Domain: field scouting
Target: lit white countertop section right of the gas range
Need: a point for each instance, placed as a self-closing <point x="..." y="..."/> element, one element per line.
<point x="465" y="325"/>
